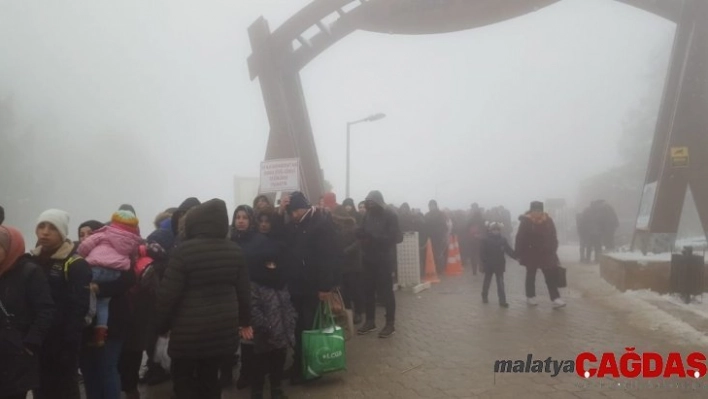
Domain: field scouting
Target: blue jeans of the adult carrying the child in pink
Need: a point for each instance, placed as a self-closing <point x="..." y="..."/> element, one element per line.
<point x="99" y="367"/>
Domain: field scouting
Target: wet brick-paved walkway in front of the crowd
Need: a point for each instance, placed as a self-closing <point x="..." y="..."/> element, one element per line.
<point x="447" y="343"/>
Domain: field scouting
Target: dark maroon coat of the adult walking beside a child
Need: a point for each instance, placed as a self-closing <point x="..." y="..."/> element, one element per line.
<point x="536" y="241"/>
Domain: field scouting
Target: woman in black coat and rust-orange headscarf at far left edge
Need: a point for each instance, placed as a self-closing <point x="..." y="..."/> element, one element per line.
<point x="26" y="312"/>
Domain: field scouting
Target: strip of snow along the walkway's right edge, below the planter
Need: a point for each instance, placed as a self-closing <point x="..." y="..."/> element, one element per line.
<point x="639" y="312"/>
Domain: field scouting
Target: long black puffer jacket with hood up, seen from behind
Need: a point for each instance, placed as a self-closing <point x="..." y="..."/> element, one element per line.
<point x="205" y="294"/>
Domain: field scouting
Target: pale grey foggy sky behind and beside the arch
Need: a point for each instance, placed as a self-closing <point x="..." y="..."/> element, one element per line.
<point x="508" y="113"/>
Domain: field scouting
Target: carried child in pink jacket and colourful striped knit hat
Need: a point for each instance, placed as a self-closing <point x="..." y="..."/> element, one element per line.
<point x="109" y="251"/>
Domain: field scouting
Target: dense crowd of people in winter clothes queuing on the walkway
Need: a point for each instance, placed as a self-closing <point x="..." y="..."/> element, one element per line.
<point x="224" y="291"/>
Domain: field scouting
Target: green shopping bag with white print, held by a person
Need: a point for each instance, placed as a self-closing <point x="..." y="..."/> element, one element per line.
<point x="323" y="348"/>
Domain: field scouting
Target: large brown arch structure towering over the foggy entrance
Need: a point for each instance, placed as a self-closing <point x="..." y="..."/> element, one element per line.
<point x="280" y="55"/>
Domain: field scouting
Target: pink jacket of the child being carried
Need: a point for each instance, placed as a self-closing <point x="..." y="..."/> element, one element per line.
<point x="110" y="247"/>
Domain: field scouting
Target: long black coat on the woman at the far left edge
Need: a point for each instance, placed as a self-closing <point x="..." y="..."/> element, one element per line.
<point x="25" y="293"/>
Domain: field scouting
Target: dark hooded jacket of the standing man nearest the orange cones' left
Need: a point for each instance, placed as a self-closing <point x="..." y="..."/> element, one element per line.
<point x="379" y="233"/>
